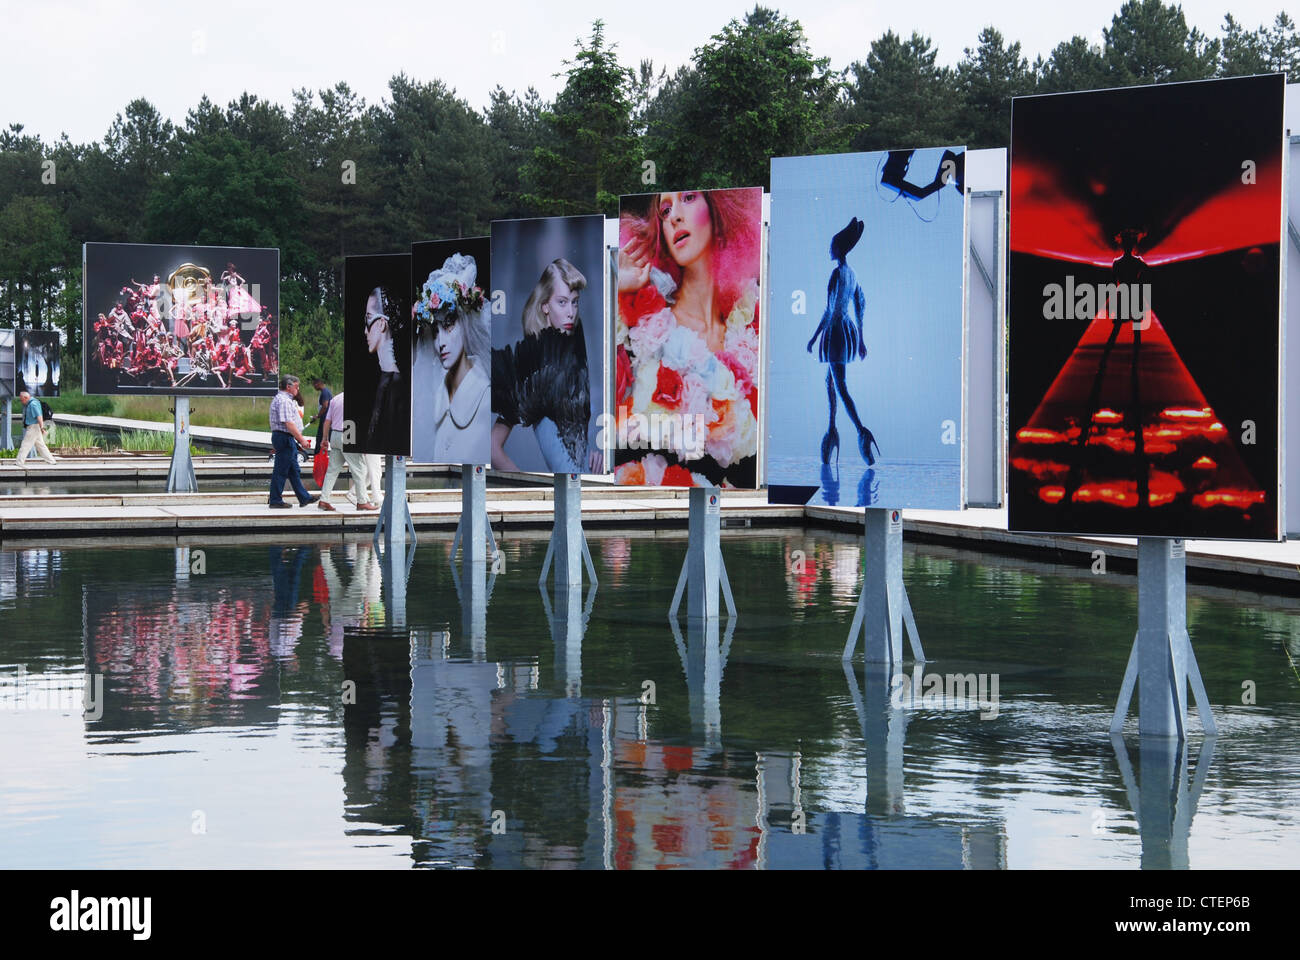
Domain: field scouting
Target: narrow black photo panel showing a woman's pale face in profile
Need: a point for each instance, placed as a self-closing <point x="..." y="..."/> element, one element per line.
<point x="378" y="353"/>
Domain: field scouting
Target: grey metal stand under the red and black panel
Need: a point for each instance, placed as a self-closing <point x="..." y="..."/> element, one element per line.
<point x="1163" y="656"/>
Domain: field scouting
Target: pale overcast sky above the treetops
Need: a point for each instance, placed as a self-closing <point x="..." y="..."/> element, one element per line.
<point x="71" y="67"/>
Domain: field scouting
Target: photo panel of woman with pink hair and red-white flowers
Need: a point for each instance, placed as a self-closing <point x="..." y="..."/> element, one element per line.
<point x="687" y="339"/>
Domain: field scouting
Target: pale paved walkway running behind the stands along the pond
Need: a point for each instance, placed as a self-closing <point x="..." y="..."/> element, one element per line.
<point x="107" y="516"/>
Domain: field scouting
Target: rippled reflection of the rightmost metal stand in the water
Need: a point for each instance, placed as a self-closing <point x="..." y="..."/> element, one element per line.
<point x="1163" y="802"/>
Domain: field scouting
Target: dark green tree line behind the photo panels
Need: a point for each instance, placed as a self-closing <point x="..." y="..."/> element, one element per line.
<point x="330" y="175"/>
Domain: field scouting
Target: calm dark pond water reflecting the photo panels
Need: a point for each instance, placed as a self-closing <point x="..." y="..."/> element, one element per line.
<point x="271" y="706"/>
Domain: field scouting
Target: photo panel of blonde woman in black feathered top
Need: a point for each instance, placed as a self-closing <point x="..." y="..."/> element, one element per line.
<point x="549" y="345"/>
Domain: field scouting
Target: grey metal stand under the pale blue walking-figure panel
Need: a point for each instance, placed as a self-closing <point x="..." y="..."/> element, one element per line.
<point x="883" y="606"/>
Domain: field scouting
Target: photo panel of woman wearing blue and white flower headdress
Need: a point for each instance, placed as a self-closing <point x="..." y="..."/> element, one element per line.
<point x="452" y="352"/>
